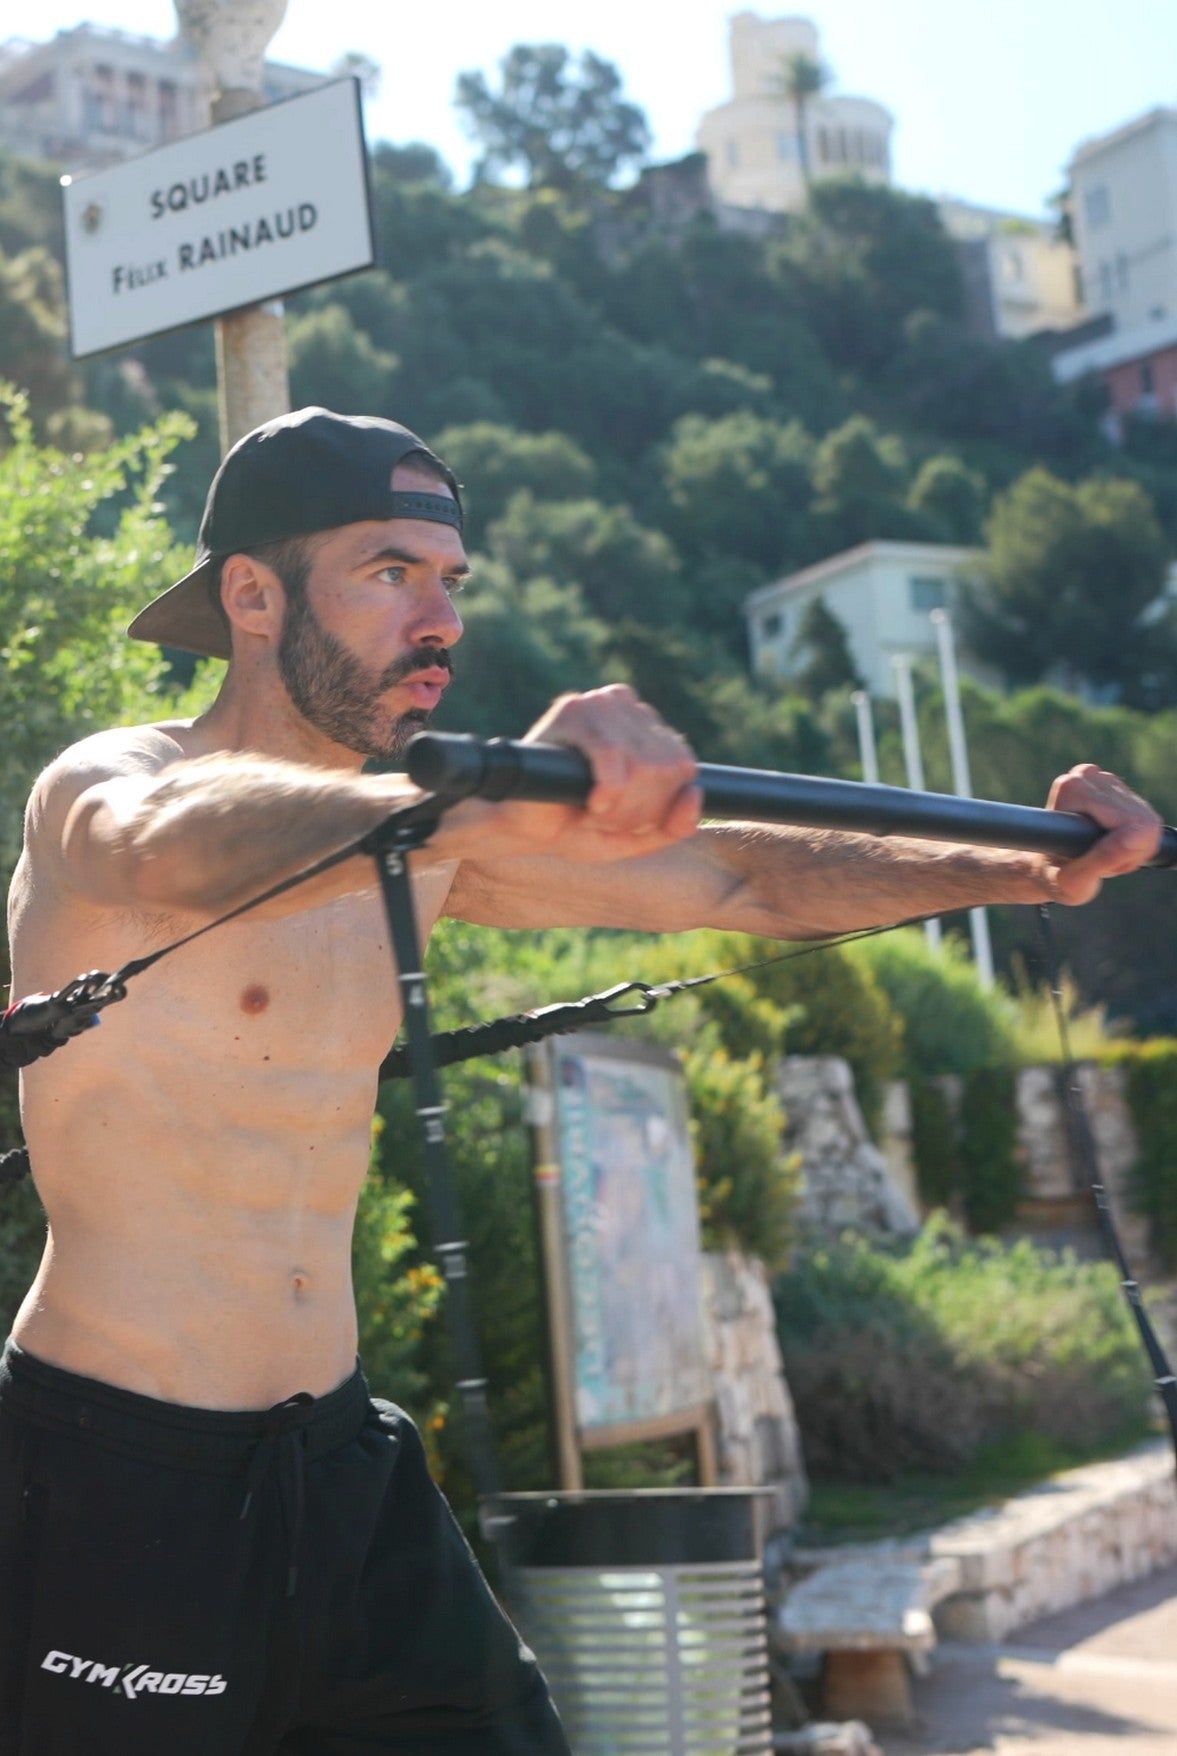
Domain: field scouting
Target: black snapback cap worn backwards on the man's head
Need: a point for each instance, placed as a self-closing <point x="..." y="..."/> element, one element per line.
<point x="300" y="473"/>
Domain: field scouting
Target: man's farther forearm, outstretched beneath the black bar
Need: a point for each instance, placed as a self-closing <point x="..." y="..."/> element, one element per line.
<point x="807" y="882"/>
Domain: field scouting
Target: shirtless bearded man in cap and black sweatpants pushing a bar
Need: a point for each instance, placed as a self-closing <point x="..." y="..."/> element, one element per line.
<point x="212" y="1543"/>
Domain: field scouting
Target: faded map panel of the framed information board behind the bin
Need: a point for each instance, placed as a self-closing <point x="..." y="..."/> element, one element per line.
<point x="632" y="1232"/>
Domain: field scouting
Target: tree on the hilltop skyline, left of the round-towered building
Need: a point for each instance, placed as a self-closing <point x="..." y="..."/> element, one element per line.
<point x="561" y="124"/>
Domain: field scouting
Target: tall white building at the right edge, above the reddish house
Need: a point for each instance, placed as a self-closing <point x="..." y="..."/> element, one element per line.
<point x="1125" y="220"/>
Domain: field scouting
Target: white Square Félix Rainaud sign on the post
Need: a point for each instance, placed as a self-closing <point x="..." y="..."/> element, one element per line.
<point x="226" y="219"/>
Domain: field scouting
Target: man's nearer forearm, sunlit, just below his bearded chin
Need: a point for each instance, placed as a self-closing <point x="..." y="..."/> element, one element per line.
<point x="212" y="833"/>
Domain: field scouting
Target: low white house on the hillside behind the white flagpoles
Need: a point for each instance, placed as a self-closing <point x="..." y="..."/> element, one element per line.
<point x="881" y="593"/>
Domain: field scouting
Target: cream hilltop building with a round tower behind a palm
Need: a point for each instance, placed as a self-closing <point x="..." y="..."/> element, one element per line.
<point x="751" y="141"/>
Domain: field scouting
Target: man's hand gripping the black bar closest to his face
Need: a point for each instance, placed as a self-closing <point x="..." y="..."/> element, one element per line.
<point x="644" y="796"/>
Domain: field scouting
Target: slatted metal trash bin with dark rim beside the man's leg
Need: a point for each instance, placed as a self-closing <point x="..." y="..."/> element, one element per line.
<point x="646" y="1611"/>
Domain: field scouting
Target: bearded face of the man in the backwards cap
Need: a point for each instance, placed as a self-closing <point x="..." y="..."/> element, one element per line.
<point x="365" y="651"/>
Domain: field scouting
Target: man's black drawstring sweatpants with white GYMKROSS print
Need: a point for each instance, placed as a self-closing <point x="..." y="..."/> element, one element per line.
<point x="187" y="1583"/>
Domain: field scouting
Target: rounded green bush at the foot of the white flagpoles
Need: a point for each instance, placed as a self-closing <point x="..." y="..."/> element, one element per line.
<point x="951" y="1023"/>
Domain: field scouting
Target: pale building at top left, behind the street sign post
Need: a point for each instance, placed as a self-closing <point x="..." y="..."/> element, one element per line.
<point x="94" y="96"/>
